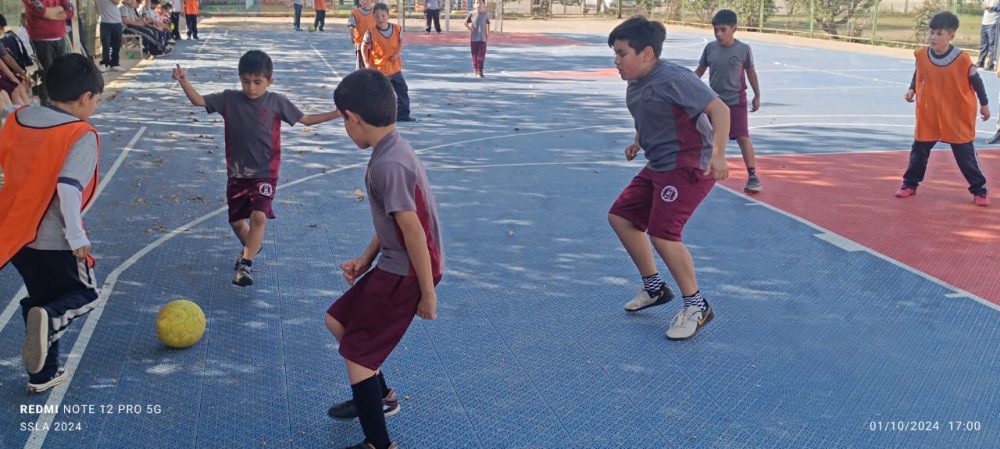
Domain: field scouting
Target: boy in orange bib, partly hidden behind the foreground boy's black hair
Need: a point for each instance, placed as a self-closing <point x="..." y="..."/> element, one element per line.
<point x="382" y="50"/>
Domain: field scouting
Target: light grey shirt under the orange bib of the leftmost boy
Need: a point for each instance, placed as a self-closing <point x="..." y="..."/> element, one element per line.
<point x="77" y="171"/>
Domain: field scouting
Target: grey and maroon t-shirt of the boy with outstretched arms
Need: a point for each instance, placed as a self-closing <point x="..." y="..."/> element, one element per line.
<point x="253" y="131"/>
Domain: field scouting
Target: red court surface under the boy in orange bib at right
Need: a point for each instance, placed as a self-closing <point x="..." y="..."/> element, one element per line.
<point x="939" y="231"/>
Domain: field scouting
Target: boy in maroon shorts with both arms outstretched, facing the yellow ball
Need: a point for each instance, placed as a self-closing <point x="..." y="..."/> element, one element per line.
<point x="253" y="119"/>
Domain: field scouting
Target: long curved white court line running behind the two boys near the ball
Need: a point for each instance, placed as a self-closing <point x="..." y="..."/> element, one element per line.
<point x="44" y="421"/>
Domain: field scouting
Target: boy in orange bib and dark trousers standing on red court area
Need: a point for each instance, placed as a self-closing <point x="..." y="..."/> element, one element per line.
<point x="945" y="86"/>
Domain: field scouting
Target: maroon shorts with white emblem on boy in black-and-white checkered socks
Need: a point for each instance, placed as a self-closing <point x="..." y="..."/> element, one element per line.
<point x="661" y="202"/>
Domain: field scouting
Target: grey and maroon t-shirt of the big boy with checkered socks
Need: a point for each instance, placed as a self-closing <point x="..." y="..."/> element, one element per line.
<point x="667" y="106"/>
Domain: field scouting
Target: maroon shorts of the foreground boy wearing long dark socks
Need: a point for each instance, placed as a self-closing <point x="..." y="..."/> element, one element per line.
<point x="375" y="313"/>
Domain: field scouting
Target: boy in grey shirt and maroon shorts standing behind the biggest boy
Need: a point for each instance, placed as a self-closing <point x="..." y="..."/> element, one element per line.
<point x="729" y="60"/>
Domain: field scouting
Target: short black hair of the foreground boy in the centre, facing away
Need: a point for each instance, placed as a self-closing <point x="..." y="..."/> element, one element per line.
<point x="368" y="93"/>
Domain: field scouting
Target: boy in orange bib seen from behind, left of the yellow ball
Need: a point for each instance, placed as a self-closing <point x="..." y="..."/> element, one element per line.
<point x="48" y="155"/>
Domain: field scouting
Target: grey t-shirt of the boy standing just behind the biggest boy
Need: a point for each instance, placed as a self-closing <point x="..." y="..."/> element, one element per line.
<point x="727" y="70"/>
